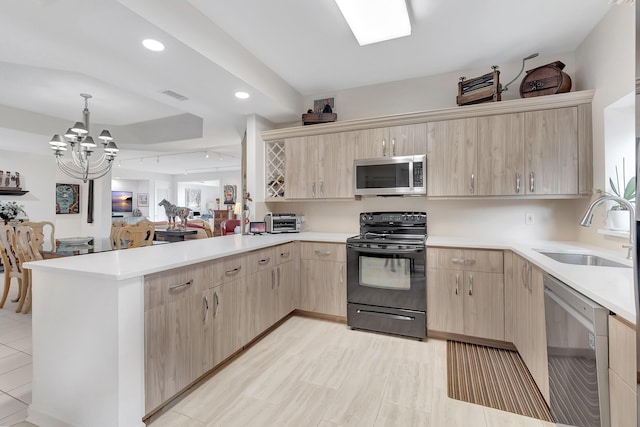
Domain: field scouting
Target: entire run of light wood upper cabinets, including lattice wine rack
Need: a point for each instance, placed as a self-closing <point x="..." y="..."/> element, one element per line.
<point x="537" y="147"/>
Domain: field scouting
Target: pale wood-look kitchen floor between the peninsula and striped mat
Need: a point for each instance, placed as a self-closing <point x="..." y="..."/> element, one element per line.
<point x="311" y="372"/>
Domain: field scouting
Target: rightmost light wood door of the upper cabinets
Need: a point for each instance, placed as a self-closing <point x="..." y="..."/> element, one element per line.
<point x="551" y="151"/>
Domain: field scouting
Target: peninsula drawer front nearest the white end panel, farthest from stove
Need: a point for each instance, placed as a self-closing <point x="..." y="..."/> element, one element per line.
<point x="169" y="286"/>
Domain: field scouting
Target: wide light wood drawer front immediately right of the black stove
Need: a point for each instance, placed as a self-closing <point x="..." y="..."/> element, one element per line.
<point x="488" y="261"/>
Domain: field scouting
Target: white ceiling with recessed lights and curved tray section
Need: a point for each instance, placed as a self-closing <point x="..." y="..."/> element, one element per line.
<point x="278" y="51"/>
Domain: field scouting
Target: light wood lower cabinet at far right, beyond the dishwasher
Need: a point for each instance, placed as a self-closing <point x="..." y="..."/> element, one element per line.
<point x="622" y="373"/>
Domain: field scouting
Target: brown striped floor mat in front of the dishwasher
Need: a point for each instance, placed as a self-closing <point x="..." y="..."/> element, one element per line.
<point x="495" y="378"/>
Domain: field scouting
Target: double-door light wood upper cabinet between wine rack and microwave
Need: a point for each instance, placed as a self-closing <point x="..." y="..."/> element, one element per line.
<point x="319" y="166"/>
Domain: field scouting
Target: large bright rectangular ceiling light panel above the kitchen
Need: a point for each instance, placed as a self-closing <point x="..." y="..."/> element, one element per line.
<point x="375" y="21"/>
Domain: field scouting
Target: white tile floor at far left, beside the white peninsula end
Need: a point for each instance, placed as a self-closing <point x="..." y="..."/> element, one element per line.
<point x="15" y="362"/>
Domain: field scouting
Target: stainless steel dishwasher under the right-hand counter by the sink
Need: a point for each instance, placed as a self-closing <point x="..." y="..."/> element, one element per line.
<point x="577" y="352"/>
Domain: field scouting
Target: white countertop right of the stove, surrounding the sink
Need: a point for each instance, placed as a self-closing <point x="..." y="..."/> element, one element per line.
<point x="610" y="287"/>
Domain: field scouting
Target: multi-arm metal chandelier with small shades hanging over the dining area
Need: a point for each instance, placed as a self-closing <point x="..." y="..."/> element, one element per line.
<point x="82" y="146"/>
